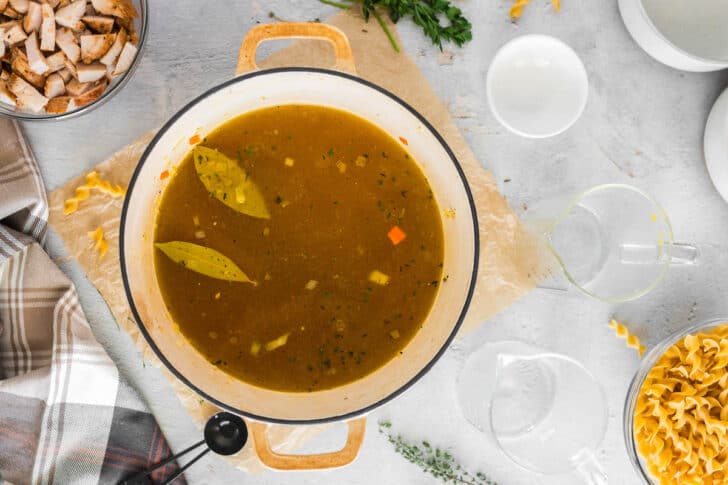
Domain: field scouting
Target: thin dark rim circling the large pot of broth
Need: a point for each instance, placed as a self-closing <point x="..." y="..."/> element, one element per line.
<point x="201" y="98"/>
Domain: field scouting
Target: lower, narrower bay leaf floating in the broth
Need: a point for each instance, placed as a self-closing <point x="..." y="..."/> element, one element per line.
<point x="203" y="260"/>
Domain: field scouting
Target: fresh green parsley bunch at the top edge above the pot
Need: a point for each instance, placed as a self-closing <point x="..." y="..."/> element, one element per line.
<point x="428" y="14"/>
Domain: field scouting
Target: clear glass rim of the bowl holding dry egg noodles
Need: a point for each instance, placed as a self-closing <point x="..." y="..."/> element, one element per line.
<point x="634" y="388"/>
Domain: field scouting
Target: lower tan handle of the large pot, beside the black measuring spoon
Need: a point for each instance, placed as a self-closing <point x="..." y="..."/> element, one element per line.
<point x="334" y="459"/>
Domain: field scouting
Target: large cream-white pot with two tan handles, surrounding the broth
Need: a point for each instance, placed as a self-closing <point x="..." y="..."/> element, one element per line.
<point x="260" y="89"/>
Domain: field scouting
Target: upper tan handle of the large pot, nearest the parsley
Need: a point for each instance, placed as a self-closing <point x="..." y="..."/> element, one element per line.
<point x="295" y="30"/>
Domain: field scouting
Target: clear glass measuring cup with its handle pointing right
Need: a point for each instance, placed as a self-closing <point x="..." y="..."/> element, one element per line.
<point x="613" y="242"/>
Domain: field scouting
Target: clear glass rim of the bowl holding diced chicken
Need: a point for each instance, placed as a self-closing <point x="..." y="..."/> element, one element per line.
<point x="140" y="24"/>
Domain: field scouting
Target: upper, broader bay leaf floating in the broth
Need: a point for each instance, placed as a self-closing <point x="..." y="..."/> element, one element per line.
<point x="227" y="182"/>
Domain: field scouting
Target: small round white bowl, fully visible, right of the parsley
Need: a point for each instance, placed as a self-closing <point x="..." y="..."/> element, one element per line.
<point x="537" y="86"/>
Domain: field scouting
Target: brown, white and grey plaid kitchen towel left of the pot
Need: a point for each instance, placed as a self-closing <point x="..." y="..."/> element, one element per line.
<point x="66" y="415"/>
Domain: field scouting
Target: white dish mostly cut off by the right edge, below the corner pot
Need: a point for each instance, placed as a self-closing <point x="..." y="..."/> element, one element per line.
<point x="716" y="145"/>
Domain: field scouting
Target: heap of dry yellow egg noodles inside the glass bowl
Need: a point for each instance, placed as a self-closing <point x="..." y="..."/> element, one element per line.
<point x="681" y="417"/>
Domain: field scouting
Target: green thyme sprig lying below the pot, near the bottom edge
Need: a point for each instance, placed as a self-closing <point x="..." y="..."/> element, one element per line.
<point x="438" y="463"/>
